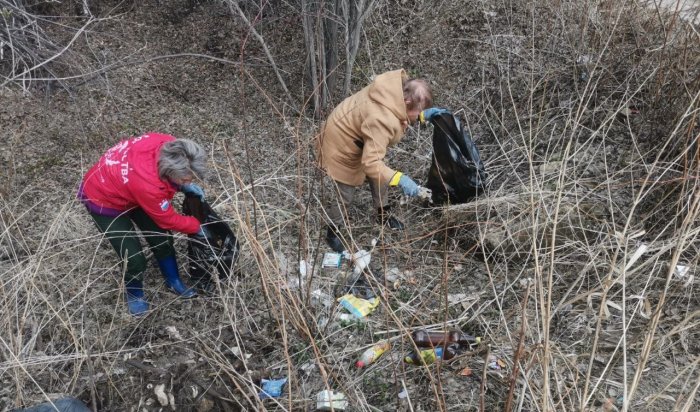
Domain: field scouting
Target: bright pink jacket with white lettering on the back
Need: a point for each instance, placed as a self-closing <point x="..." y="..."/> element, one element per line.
<point x="126" y="176"/>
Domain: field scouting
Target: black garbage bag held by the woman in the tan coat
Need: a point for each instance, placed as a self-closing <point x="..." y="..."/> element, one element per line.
<point x="456" y="174"/>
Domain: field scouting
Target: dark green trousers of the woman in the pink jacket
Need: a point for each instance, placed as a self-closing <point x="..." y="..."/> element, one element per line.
<point x="122" y="234"/>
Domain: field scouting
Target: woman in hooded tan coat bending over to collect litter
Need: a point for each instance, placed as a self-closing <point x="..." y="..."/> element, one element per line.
<point x="354" y="140"/>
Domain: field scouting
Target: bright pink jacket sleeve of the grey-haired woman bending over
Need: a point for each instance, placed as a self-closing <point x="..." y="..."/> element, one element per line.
<point x="158" y="205"/>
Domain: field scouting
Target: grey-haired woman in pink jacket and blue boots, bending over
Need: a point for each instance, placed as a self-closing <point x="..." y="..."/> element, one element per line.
<point x="134" y="182"/>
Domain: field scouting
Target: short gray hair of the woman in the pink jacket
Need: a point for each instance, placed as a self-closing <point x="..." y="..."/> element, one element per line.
<point x="182" y="158"/>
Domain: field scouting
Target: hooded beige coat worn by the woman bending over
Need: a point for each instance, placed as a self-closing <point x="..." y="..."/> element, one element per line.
<point x="353" y="142"/>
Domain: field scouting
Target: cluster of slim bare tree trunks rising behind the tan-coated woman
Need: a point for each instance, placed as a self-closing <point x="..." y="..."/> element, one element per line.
<point x="330" y="26"/>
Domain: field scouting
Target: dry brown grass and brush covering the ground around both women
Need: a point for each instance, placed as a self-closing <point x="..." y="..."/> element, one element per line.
<point x="586" y="114"/>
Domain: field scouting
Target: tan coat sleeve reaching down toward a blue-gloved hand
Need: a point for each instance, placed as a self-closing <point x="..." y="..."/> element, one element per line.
<point x="377" y="133"/>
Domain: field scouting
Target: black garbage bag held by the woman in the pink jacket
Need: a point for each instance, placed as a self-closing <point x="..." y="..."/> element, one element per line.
<point x="218" y="256"/>
